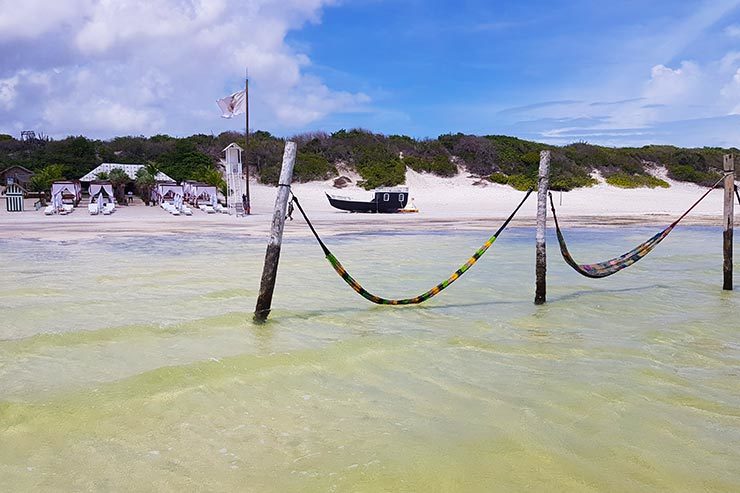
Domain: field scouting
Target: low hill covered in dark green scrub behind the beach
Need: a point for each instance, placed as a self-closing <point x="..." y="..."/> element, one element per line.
<point x="380" y="160"/>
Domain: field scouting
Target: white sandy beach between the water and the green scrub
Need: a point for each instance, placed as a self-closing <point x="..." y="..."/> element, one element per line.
<point x="444" y="204"/>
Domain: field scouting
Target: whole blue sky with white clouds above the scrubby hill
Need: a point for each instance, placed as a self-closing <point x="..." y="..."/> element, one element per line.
<point x="611" y="73"/>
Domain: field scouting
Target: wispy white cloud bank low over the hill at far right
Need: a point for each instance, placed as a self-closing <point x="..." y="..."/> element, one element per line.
<point x="691" y="104"/>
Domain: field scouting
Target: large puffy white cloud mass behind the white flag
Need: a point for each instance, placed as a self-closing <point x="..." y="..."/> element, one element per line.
<point x="147" y="67"/>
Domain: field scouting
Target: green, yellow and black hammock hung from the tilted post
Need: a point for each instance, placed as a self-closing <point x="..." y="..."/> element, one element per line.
<point x="339" y="268"/>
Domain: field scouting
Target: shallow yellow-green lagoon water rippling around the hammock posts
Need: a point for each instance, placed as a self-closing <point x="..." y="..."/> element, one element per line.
<point x="133" y="365"/>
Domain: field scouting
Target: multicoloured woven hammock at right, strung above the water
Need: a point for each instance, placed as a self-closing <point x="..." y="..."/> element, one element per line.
<point x="609" y="267"/>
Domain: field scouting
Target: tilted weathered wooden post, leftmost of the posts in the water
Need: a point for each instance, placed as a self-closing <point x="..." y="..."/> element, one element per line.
<point x="272" y="257"/>
